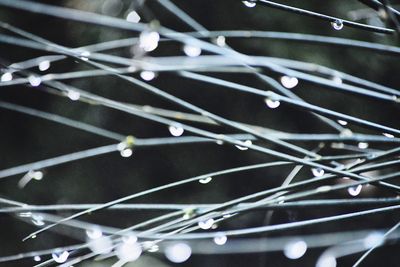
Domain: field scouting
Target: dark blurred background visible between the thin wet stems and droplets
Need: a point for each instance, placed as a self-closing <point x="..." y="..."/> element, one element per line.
<point x="24" y="139"/>
